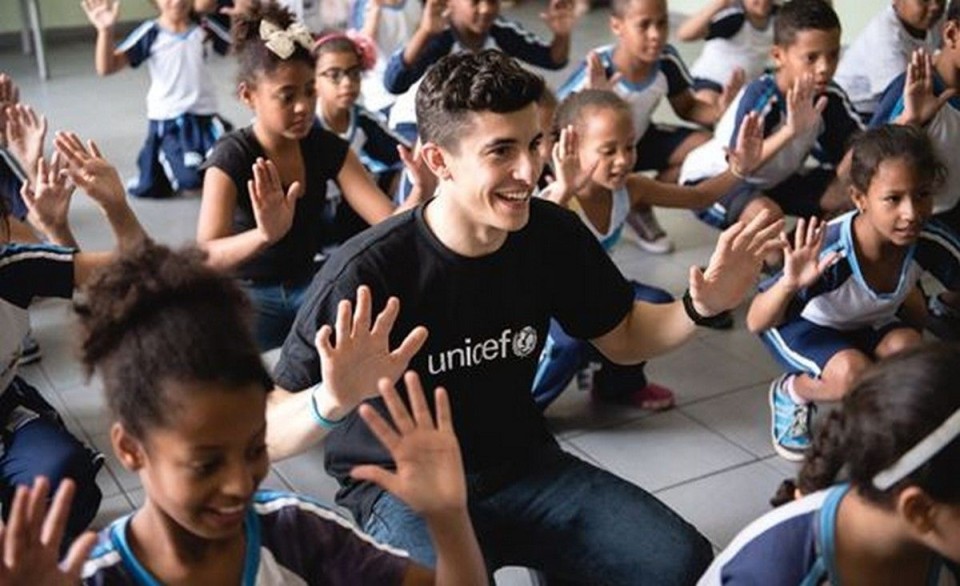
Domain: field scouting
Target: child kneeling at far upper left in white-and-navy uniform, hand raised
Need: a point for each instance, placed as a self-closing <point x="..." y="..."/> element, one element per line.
<point x="182" y="115"/>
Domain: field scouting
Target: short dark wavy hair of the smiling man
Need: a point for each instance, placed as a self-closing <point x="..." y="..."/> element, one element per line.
<point x="464" y="83"/>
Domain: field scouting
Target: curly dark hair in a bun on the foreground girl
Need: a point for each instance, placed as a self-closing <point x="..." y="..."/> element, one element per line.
<point x="156" y="316"/>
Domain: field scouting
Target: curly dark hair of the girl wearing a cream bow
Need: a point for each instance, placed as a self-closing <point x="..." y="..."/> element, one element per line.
<point x="253" y="55"/>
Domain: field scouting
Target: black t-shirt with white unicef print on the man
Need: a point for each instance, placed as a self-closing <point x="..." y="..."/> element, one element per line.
<point x="487" y="317"/>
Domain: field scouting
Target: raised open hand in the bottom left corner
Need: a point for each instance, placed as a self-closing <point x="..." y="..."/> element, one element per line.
<point x="30" y="541"/>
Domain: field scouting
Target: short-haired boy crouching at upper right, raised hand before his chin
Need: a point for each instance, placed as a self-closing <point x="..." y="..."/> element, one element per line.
<point x="801" y="178"/>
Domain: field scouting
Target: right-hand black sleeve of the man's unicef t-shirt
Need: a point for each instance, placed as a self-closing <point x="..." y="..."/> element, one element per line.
<point x="591" y="294"/>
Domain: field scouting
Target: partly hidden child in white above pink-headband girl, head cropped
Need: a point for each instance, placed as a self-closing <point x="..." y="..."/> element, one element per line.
<point x="390" y="23"/>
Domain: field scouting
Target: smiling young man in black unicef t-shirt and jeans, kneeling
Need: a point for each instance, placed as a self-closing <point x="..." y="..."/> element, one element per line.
<point x="484" y="267"/>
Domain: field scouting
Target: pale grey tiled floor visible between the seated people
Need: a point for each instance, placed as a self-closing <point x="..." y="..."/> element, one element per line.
<point x="710" y="458"/>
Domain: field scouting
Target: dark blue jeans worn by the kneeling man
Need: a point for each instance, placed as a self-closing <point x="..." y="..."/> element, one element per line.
<point x="577" y="523"/>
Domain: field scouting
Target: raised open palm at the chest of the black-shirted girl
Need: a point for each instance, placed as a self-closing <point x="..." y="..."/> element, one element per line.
<point x="273" y="209"/>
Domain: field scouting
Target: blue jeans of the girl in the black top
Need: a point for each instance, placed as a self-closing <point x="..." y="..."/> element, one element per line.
<point x="275" y="306"/>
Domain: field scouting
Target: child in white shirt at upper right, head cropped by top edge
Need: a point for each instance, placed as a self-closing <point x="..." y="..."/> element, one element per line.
<point x="738" y="34"/>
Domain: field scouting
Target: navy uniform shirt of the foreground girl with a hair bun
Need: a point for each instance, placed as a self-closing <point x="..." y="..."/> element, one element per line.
<point x="289" y="540"/>
